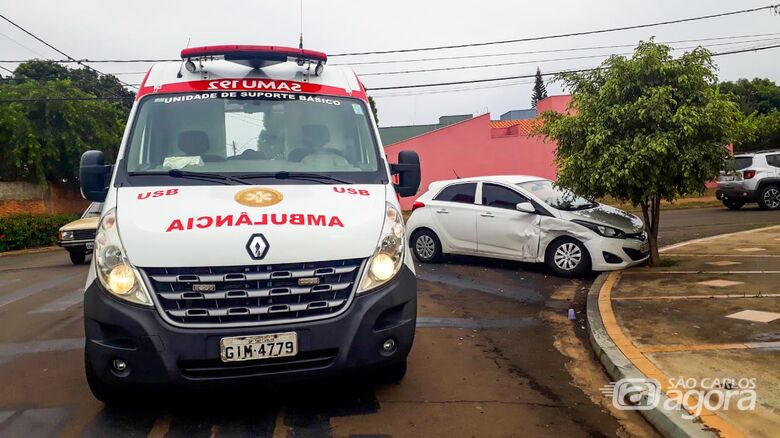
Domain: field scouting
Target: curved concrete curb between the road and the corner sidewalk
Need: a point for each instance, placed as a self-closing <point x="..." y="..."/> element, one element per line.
<point x="618" y="366"/>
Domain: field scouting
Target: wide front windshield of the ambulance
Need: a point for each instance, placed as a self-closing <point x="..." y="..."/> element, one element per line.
<point x="247" y="132"/>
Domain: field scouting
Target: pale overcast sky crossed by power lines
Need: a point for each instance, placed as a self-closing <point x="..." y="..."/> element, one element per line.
<point x="160" y="29"/>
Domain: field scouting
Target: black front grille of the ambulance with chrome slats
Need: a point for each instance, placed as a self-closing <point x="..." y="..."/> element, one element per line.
<point x="255" y="294"/>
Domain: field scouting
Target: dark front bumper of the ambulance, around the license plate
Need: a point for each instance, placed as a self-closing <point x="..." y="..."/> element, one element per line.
<point x="157" y="353"/>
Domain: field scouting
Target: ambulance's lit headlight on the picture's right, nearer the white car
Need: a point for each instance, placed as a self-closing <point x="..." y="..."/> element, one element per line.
<point x="389" y="254"/>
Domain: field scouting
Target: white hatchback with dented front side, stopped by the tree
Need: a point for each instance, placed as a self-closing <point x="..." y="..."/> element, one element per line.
<point x="524" y="218"/>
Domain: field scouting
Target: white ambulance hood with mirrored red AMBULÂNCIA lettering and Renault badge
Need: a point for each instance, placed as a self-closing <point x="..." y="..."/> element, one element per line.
<point x="201" y="226"/>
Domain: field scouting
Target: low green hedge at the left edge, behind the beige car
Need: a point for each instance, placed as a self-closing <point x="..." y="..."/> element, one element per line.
<point x="19" y="231"/>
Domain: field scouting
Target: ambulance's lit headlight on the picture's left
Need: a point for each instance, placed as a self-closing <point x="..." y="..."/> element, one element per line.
<point x="114" y="271"/>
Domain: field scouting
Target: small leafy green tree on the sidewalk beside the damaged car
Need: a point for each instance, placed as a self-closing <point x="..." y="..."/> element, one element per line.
<point x="643" y="129"/>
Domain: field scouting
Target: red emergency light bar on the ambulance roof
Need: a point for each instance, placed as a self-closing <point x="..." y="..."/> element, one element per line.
<point x="255" y="56"/>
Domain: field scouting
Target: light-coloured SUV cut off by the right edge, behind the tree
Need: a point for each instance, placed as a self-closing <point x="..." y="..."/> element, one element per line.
<point x="751" y="177"/>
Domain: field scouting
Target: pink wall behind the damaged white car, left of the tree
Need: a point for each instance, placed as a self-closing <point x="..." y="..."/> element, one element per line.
<point x="470" y="149"/>
